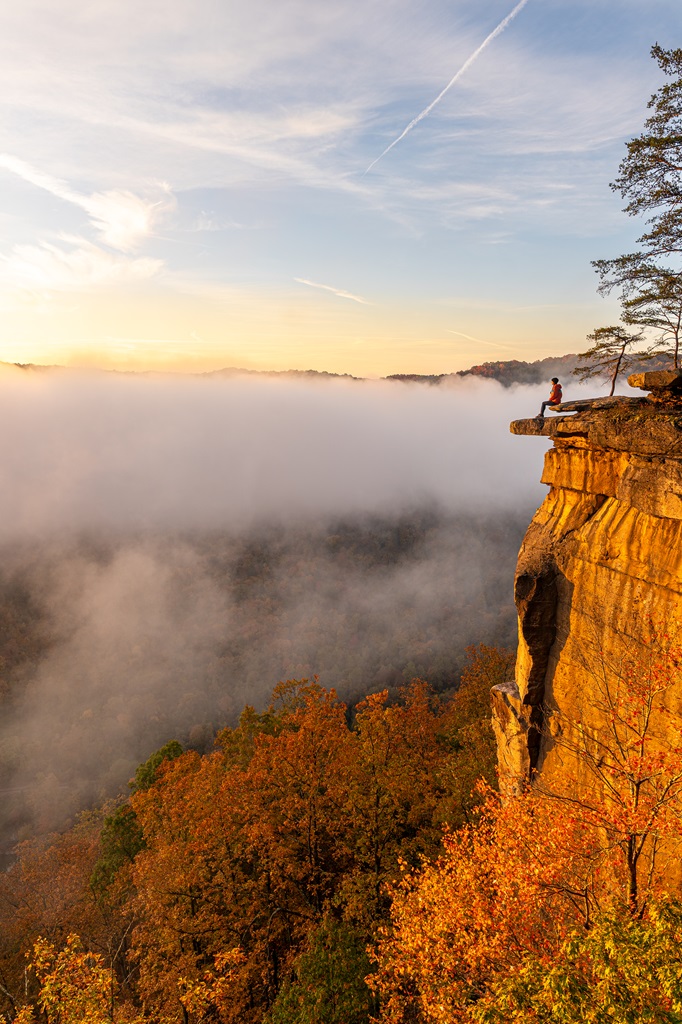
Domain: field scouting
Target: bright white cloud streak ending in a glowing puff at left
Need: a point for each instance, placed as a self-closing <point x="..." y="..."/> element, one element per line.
<point x="121" y="220"/>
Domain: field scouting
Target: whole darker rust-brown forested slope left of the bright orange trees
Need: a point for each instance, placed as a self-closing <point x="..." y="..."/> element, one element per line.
<point x="249" y="883"/>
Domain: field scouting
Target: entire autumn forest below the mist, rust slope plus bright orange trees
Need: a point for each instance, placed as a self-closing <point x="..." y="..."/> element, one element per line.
<point x="296" y="874"/>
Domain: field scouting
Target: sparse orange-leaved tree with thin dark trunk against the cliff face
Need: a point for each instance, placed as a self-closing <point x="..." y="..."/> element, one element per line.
<point x="624" y="746"/>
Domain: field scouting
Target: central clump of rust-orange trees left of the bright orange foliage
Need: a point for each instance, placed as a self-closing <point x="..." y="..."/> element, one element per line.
<point x="296" y="816"/>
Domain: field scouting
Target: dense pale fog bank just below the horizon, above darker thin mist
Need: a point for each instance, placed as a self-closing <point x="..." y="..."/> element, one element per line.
<point x="126" y="453"/>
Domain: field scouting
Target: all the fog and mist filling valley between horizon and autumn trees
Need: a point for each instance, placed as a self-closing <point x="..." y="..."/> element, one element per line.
<point x="174" y="547"/>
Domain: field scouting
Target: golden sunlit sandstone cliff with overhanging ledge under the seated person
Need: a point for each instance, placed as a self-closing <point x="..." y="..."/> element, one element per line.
<point x="601" y="568"/>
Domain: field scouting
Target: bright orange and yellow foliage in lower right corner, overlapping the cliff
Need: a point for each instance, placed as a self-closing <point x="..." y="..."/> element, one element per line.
<point x="590" y="848"/>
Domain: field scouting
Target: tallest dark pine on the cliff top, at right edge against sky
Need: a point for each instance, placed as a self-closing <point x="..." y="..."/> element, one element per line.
<point x="651" y="180"/>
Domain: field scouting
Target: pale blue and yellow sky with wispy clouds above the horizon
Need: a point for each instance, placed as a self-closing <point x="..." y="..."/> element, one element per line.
<point x="365" y="187"/>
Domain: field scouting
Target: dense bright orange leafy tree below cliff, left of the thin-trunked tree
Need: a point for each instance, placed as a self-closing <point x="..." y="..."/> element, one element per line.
<point x="518" y="881"/>
